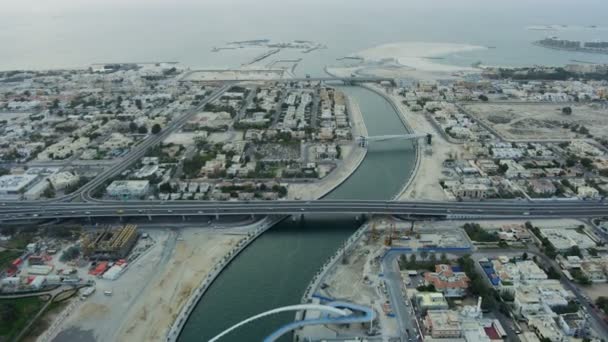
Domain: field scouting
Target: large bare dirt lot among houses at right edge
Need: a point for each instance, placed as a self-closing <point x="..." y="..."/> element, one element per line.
<point x="541" y="121"/>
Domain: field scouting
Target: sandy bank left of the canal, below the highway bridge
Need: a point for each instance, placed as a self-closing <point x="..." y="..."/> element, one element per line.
<point x="148" y="296"/>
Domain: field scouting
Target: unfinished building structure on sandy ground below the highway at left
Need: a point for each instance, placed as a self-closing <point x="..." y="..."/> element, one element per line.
<point x="110" y="243"/>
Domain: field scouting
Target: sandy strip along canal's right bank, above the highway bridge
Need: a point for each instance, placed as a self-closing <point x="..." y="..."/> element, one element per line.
<point x="425" y="184"/>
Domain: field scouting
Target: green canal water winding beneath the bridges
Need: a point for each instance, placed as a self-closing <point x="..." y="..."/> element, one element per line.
<point x="275" y="270"/>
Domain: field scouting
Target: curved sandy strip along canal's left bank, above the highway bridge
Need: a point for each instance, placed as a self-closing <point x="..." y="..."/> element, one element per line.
<point x="353" y="155"/>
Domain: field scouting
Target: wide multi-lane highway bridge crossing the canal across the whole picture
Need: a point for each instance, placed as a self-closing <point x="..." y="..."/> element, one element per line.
<point x="425" y="209"/>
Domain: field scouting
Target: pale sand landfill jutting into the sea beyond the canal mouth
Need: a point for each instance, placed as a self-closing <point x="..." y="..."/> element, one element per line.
<point x="417" y="55"/>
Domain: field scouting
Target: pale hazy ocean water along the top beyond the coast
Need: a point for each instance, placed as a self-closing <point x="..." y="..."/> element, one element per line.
<point x="37" y="34"/>
